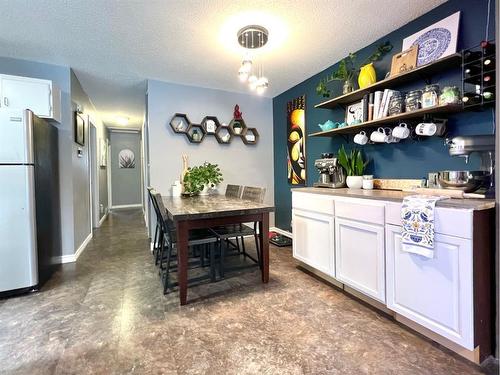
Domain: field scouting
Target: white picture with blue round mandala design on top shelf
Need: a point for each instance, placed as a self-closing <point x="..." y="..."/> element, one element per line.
<point x="436" y="41"/>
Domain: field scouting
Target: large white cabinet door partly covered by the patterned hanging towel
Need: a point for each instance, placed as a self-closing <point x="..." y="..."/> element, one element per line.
<point x="435" y="293"/>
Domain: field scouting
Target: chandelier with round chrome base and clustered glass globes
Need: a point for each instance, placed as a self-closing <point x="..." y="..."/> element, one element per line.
<point x="252" y="37"/>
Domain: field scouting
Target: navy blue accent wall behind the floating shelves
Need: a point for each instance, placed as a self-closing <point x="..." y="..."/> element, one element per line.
<point x="408" y="159"/>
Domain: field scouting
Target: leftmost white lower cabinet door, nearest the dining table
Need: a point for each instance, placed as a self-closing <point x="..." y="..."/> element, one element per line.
<point x="313" y="240"/>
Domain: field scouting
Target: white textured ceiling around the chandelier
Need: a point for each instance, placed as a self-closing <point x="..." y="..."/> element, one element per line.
<point x="114" y="46"/>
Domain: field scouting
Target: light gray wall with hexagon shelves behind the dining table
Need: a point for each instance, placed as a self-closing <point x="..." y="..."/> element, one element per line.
<point x="240" y="164"/>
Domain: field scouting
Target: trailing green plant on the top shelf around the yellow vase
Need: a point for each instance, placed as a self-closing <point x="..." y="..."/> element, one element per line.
<point x="347" y="69"/>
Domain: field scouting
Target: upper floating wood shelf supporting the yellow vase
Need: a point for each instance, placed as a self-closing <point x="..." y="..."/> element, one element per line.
<point x="423" y="71"/>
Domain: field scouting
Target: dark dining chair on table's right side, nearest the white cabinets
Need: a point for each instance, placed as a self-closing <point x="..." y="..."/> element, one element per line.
<point x="240" y="231"/>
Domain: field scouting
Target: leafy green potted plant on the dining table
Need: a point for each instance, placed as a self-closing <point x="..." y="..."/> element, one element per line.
<point x="200" y="179"/>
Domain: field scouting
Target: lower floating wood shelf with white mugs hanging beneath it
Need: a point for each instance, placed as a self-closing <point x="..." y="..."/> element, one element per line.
<point x="447" y="108"/>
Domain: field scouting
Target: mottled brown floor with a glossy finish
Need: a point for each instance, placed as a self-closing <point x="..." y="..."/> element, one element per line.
<point x="106" y="314"/>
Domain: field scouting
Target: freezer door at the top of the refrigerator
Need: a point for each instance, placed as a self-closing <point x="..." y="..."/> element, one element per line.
<point x="16" y="128"/>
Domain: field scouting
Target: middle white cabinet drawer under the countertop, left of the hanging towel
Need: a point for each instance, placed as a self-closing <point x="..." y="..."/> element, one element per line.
<point x="360" y="209"/>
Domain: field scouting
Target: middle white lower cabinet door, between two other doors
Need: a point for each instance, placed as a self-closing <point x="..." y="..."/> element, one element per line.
<point x="360" y="257"/>
